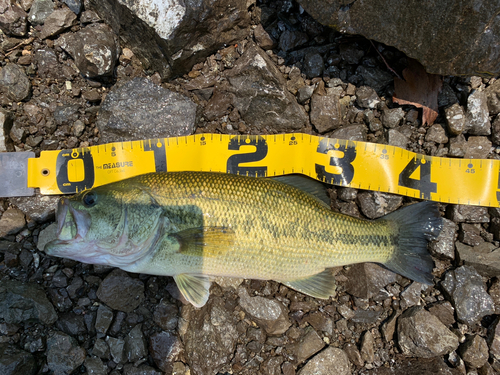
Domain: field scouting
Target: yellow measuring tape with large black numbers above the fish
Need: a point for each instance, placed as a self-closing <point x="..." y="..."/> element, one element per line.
<point x="360" y="165"/>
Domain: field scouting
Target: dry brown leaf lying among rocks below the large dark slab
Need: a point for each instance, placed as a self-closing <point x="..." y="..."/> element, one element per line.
<point x="419" y="89"/>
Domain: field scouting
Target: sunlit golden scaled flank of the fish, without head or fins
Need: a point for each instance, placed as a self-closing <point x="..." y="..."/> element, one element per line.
<point x="266" y="250"/>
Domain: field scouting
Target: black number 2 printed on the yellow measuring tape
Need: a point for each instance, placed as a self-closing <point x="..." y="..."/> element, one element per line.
<point x="234" y="161"/>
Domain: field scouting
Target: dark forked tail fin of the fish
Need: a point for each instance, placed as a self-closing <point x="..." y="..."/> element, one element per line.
<point x="417" y="224"/>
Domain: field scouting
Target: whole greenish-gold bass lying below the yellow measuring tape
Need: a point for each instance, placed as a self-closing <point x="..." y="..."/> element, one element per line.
<point x="198" y="225"/>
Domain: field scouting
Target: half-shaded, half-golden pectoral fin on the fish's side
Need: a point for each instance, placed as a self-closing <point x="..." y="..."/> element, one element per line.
<point x="206" y="241"/>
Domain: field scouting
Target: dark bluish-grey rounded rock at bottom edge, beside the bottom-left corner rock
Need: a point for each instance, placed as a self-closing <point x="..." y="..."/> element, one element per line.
<point x="63" y="353"/>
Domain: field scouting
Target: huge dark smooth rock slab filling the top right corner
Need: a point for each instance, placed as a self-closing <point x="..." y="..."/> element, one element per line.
<point x="409" y="30"/>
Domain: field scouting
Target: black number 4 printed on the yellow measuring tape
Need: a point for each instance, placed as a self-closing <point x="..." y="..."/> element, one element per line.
<point x="422" y="184"/>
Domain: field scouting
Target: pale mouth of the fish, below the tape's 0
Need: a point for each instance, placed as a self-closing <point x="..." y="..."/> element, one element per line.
<point x="72" y="225"/>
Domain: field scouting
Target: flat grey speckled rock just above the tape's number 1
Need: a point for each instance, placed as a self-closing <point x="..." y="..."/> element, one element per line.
<point x="139" y="109"/>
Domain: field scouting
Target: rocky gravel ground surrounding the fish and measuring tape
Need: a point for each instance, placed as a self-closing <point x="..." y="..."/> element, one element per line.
<point x="58" y="316"/>
